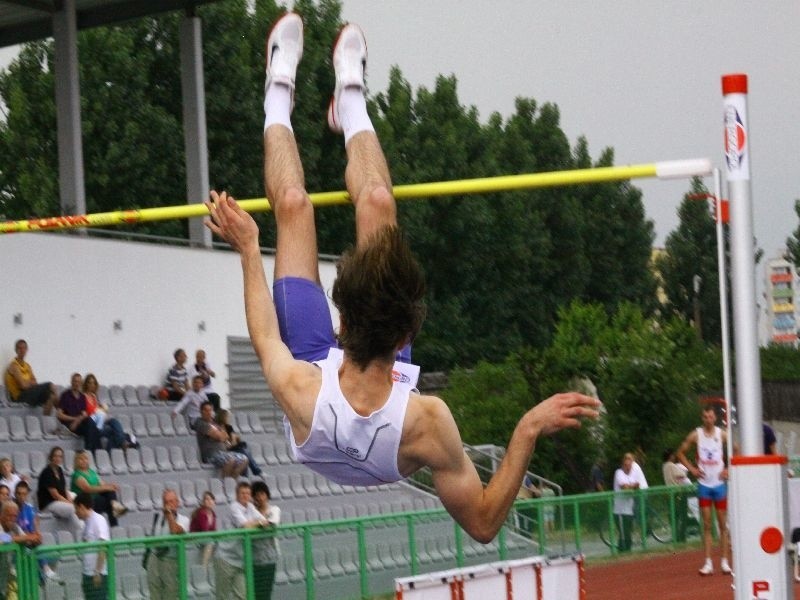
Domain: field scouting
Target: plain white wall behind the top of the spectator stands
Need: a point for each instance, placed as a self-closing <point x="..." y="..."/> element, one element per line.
<point x="70" y="290"/>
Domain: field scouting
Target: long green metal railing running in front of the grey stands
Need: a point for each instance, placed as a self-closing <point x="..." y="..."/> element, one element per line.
<point x="400" y="544"/>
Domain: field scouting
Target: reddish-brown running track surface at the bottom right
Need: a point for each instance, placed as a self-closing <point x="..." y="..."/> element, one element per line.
<point x="662" y="577"/>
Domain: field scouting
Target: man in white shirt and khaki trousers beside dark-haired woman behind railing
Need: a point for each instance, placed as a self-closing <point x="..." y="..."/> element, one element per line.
<point x="229" y="563"/>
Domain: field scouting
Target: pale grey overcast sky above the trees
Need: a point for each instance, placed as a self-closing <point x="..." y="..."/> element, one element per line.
<point x="640" y="76"/>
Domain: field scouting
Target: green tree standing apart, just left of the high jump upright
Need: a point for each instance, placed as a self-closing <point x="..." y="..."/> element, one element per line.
<point x="691" y="251"/>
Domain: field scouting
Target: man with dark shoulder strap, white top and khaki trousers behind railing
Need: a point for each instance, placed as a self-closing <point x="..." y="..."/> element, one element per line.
<point x="162" y="563"/>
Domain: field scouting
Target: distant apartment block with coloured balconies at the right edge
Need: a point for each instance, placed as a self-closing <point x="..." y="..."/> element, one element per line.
<point x="780" y="296"/>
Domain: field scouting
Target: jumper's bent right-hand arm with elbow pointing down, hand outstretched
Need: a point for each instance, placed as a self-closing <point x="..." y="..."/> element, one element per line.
<point x="482" y="511"/>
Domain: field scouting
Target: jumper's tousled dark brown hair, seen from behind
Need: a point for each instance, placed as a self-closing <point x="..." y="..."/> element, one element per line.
<point x="379" y="292"/>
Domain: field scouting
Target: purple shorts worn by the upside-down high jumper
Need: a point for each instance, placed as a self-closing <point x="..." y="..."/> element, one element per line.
<point x="305" y="320"/>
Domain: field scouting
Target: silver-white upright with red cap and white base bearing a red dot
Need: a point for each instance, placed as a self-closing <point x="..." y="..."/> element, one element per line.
<point x="758" y="488"/>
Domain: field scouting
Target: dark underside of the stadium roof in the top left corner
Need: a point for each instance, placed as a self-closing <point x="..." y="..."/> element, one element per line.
<point x="28" y="20"/>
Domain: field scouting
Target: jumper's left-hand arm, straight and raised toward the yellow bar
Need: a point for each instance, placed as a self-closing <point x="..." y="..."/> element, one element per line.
<point x="239" y="229"/>
